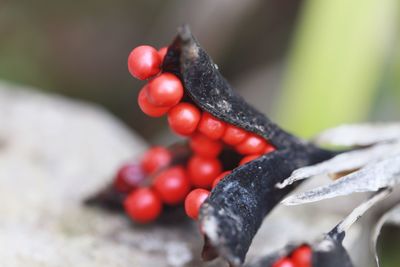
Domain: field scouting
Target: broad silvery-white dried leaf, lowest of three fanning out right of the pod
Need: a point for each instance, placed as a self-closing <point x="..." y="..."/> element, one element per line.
<point x="372" y="177"/>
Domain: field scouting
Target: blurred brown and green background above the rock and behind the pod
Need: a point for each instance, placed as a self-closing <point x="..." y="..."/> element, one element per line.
<point x="309" y="65"/>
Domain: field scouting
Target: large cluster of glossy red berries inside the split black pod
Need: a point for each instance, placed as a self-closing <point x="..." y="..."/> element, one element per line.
<point x="163" y="95"/>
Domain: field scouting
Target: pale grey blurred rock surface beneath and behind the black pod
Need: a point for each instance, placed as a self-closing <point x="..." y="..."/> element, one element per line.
<point x="55" y="152"/>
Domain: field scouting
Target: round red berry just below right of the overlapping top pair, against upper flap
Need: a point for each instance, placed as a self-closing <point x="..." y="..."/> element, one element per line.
<point x="183" y="118"/>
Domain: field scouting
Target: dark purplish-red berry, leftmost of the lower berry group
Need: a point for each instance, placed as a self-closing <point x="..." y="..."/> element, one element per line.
<point x="128" y="177"/>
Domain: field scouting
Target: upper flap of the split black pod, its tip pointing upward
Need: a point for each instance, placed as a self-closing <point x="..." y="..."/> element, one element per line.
<point x="210" y="91"/>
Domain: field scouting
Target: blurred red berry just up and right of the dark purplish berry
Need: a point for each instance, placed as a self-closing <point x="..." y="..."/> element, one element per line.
<point x="155" y="158"/>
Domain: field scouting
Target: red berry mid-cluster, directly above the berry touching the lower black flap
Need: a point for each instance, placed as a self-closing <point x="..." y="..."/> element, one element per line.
<point x="202" y="171"/>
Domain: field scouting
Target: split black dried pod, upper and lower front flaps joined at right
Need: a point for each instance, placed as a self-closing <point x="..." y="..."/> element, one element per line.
<point x="236" y="207"/>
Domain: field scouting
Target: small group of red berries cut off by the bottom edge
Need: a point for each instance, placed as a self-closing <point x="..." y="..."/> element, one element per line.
<point x="300" y="257"/>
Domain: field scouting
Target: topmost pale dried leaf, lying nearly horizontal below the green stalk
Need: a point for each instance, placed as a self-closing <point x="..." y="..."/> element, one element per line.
<point x="359" y="134"/>
